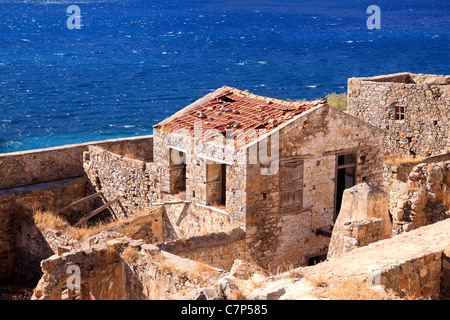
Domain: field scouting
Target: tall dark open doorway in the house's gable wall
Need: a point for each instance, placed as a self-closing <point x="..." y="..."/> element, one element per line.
<point x="345" y="177"/>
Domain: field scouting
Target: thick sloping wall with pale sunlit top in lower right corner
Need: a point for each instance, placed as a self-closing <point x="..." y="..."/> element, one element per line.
<point x="412" y="264"/>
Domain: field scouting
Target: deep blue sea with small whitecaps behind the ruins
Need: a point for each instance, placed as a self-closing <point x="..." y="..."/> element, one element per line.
<point x="135" y="62"/>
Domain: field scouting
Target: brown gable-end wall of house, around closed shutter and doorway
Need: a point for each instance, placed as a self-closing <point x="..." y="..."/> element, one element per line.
<point x="275" y="236"/>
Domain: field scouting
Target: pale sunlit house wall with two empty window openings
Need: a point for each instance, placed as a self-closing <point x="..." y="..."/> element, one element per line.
<point x="198" y="186"/>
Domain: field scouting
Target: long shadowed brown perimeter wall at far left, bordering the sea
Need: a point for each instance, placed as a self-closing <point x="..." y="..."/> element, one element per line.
<point x="47" y="179"/>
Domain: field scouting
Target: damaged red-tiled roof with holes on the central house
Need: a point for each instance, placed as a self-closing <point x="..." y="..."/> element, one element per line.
<point x="230" y="108"/>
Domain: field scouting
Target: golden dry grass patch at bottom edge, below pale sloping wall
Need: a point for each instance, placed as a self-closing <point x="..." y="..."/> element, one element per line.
<point x="355" y="289"/>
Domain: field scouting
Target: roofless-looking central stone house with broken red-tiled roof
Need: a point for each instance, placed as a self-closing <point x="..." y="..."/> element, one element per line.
<point x="278" y="169"/>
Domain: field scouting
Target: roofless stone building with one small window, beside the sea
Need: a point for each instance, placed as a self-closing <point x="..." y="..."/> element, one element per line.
<point x="412" y="109"/>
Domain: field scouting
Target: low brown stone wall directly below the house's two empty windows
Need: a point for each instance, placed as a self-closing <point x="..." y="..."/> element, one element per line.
<point x="217" y="249"/>
